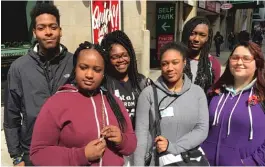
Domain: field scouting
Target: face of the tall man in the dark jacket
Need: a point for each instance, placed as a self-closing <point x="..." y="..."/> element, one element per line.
<point x="47" y="31"/>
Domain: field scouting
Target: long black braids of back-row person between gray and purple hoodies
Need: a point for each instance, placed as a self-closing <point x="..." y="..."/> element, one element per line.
<point x="205" y="76"/>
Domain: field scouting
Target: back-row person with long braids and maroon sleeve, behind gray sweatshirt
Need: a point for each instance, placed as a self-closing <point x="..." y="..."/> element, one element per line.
<point x="202" y="68"/>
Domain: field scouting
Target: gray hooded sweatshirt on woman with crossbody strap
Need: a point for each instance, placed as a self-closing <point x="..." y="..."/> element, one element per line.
<point x="185" y="122"/>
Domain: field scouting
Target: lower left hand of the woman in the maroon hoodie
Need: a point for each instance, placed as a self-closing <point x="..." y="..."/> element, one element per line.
<point x="95" y="149"/>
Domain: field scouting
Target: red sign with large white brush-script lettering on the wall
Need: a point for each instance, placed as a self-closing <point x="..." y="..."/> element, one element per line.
<point x="106" y="17"/>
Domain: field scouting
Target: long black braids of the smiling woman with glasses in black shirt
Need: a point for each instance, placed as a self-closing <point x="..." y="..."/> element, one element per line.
<point x="119" y="37"/>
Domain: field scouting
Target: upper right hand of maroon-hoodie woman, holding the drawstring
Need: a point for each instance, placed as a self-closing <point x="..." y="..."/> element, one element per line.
<point x="112" y="133"/>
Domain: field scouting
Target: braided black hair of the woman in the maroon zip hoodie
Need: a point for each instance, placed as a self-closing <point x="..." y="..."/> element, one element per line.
<point x="113" y="103"/>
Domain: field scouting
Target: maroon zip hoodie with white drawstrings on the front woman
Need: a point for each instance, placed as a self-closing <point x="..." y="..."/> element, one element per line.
<point x="67" y="123"/>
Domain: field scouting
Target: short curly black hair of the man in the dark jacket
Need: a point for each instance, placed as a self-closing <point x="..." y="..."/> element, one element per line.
<point x="44" y="8"/>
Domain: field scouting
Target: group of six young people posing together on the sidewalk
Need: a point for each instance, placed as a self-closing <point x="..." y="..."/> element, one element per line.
<point x="94" y="107"/>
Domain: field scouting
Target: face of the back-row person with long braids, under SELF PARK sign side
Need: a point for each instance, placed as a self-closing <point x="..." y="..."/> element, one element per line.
<point x="198" y="37"/>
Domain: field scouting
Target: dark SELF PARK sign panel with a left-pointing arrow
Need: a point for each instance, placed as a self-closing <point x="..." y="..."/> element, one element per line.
<point x="165" y="18"/>
